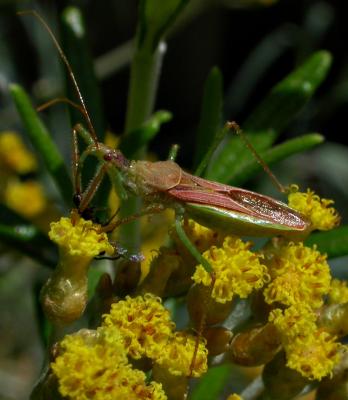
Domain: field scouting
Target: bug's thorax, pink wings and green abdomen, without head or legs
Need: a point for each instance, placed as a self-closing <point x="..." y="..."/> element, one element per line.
<point x="213" y="204"/>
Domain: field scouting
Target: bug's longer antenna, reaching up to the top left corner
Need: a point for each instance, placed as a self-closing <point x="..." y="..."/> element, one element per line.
<point x="69" y="69"/>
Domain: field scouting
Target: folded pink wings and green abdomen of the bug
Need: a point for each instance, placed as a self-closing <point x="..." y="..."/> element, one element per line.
<point x="236" y="210"/>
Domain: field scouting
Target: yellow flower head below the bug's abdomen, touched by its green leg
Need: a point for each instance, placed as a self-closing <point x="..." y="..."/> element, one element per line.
<point x="237" y="270"/>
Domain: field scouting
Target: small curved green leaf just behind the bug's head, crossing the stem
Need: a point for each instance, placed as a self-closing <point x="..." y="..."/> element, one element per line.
<point x="136" y="139"/>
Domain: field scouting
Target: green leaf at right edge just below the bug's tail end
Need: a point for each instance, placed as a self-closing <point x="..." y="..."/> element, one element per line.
<point x="334" y="242"/>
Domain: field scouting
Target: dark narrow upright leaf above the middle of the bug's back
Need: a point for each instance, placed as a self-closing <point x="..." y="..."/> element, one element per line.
<point x="211" y="114"/>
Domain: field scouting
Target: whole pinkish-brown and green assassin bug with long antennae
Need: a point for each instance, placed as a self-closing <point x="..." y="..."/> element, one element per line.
<point x="163" y="184"/>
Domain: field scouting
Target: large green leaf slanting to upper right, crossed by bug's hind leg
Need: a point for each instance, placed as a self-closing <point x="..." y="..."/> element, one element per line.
<point x="271" y="117"/>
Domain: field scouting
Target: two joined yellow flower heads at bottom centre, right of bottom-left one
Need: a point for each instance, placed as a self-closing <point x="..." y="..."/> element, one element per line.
<point x="148" y="331"/>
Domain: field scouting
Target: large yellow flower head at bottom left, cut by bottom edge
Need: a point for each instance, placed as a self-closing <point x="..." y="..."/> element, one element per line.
<point x="94" y="365"/>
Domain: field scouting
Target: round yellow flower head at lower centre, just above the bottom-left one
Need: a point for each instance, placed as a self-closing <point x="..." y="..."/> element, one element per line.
<point x="144" y="323"/>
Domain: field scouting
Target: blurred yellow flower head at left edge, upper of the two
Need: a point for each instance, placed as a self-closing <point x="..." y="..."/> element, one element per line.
<point x="14" y="154"/>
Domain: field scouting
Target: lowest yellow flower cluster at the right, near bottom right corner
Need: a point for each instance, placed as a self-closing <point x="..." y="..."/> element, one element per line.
<point x="310" y="351"/>
